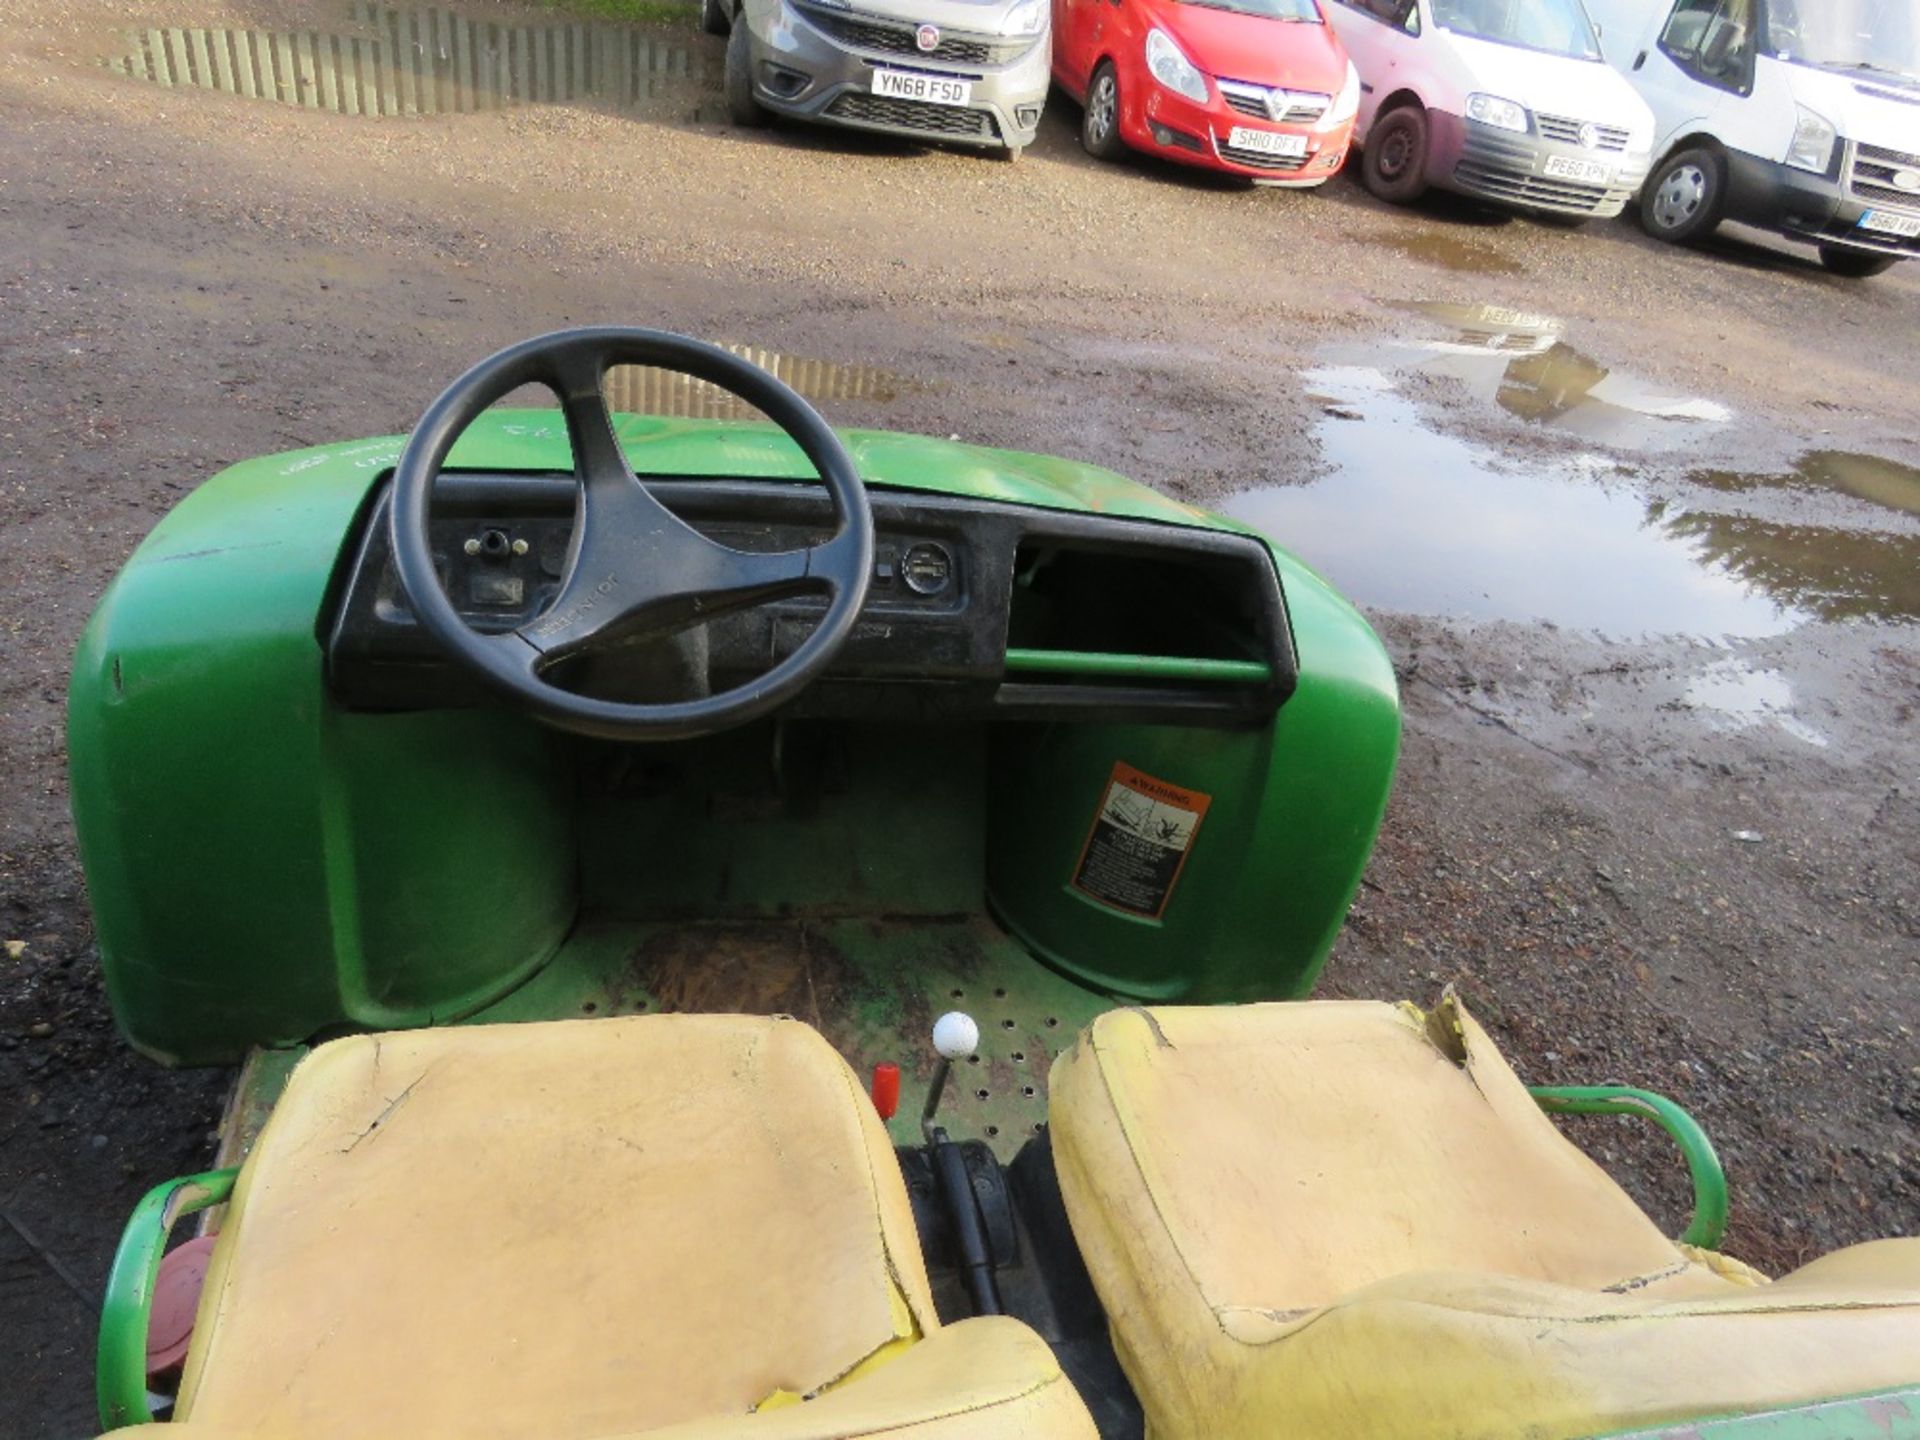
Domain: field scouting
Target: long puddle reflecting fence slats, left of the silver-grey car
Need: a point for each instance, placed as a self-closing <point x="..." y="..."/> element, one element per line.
<point x="387" y="62"/>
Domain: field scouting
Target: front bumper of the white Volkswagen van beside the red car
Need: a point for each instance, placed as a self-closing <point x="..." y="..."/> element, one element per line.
<point x="1493" y="164"/>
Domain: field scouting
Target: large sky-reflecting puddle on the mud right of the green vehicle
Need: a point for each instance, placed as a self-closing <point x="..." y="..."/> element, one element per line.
<point x="1420" y="521"/>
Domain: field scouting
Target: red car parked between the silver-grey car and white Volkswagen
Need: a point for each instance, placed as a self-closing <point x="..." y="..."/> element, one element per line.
<point x="1249" y="87"/>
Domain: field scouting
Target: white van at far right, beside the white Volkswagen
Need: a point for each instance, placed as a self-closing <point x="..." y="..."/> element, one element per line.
<point x="1800" y="116"/>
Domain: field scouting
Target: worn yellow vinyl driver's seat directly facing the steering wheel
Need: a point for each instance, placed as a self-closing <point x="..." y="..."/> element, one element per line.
<point x="565" y="1230"/>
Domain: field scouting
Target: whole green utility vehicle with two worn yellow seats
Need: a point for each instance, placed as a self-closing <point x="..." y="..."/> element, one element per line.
<point x="573" y="825"/>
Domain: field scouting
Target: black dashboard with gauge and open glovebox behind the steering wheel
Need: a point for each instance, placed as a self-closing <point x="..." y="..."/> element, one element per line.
<point x="976" y="610"/>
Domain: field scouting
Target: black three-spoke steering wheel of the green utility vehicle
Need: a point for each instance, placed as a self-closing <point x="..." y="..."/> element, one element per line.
<point x="633" y="567"/>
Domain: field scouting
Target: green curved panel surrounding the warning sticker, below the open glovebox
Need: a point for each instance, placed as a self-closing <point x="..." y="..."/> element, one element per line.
<point x="1276" y="861"/>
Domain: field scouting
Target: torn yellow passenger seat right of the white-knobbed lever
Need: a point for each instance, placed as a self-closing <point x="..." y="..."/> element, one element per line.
<point x="1339" y="1220"/>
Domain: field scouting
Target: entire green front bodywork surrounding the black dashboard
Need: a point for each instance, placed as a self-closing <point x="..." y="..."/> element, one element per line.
<point x="268" y="869"/>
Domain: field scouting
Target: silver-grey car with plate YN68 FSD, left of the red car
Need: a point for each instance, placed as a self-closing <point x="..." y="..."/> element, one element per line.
<point x="957" y="72"/>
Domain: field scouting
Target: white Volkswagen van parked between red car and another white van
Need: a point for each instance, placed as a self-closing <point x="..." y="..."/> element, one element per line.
<point x="1508" y="101"/>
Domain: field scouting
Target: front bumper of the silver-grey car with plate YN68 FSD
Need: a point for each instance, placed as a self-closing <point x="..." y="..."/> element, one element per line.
<point x="804" y="72"/>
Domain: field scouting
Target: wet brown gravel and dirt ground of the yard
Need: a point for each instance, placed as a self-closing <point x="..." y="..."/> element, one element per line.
<point x="1631" y="878"/>
